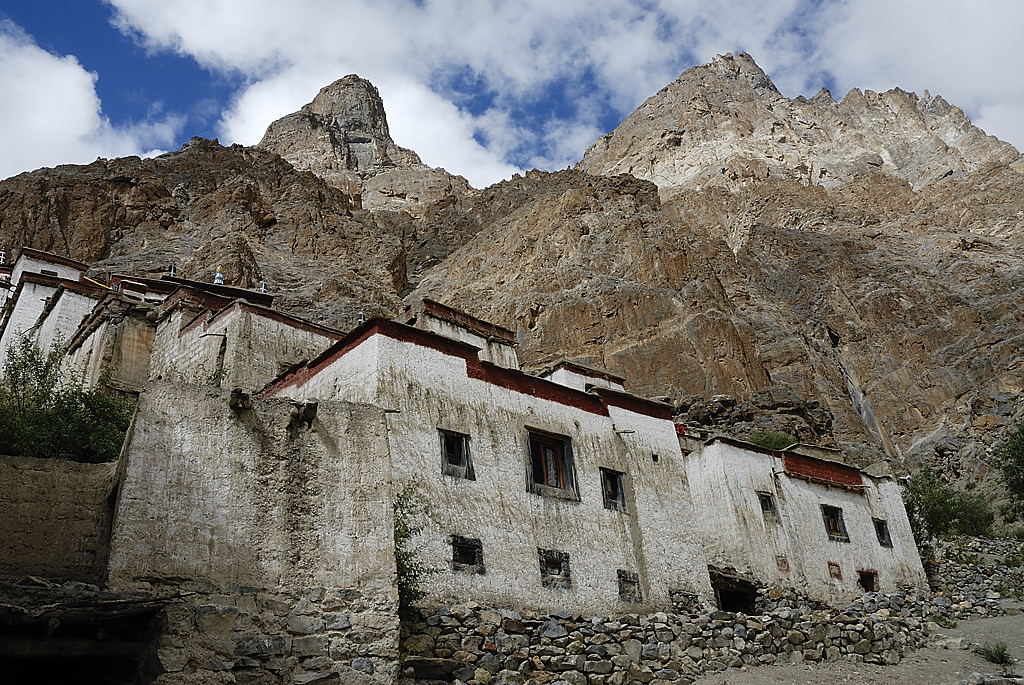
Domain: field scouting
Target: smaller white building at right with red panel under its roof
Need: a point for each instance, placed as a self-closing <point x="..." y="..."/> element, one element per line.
<point x="799" y="519"/>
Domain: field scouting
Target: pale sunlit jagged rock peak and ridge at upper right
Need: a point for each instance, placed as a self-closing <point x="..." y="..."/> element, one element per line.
<point x="726" y="124"/>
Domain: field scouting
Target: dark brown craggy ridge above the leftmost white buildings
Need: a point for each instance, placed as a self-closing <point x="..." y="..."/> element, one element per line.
<point x="208" y="206"/>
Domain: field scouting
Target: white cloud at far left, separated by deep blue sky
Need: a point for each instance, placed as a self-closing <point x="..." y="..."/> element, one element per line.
<point x="52" y="114"/>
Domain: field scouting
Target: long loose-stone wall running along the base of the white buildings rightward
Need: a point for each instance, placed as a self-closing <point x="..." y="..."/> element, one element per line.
<point x="485" y="647"/>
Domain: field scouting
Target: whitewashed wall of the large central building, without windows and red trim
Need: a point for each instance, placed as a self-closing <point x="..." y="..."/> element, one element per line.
<point x="431" y="391"/>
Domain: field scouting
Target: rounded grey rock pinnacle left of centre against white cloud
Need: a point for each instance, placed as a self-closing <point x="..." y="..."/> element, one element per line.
<point x="343" y="137"/>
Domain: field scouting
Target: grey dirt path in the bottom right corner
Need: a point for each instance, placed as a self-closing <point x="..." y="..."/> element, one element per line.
<point x="933" y="666"/>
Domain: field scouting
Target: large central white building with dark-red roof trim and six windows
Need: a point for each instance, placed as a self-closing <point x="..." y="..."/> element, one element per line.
<point x="537" y="494"/>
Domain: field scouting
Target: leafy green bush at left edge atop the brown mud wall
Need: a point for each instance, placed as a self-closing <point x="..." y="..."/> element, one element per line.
<point x="40" y="416"/>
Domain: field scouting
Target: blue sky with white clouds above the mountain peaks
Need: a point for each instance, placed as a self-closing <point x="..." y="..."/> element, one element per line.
<point x="485" y="89"/>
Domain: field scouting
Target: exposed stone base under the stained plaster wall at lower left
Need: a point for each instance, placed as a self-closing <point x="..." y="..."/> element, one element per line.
<point x="328" y="636"/>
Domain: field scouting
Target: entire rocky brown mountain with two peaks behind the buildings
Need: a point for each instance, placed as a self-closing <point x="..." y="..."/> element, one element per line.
<point x="849" y="273"/>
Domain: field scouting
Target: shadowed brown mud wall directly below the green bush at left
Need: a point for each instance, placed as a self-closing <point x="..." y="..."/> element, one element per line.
<point x="55" y="518"/>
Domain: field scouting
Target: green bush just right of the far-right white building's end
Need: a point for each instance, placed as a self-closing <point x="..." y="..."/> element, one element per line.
<point x="936" y="509"/>
